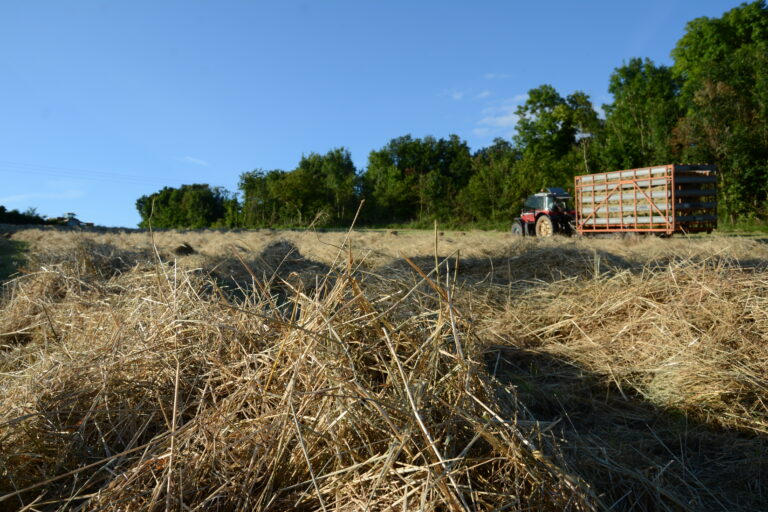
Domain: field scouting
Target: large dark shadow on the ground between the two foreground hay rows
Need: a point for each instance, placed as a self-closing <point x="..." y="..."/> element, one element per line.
<point x="634" y="454"/>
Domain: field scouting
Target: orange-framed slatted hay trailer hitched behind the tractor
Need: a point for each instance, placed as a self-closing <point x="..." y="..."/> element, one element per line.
<point x="663" y="199"/>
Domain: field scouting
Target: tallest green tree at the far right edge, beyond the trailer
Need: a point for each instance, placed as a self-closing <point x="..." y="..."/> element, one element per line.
<point x="723" y="65"/>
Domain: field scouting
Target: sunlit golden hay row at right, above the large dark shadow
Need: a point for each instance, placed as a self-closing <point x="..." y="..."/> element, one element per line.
<point x="690" y="336"/>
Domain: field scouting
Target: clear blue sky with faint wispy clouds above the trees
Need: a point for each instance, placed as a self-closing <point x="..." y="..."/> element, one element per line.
<point x="102" y="102"/>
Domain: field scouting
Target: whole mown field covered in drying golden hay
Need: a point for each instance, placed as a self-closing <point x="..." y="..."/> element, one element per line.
<point x="279" y="370"/>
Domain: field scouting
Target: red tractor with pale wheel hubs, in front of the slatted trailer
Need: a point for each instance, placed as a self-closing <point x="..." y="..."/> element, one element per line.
<point x="547" y="213"/>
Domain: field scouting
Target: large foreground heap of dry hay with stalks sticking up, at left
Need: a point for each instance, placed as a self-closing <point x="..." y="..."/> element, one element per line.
<point x="149" y="388"/>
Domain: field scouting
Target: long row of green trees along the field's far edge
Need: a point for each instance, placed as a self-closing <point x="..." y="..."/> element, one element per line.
<point x="710" y="106"/>
